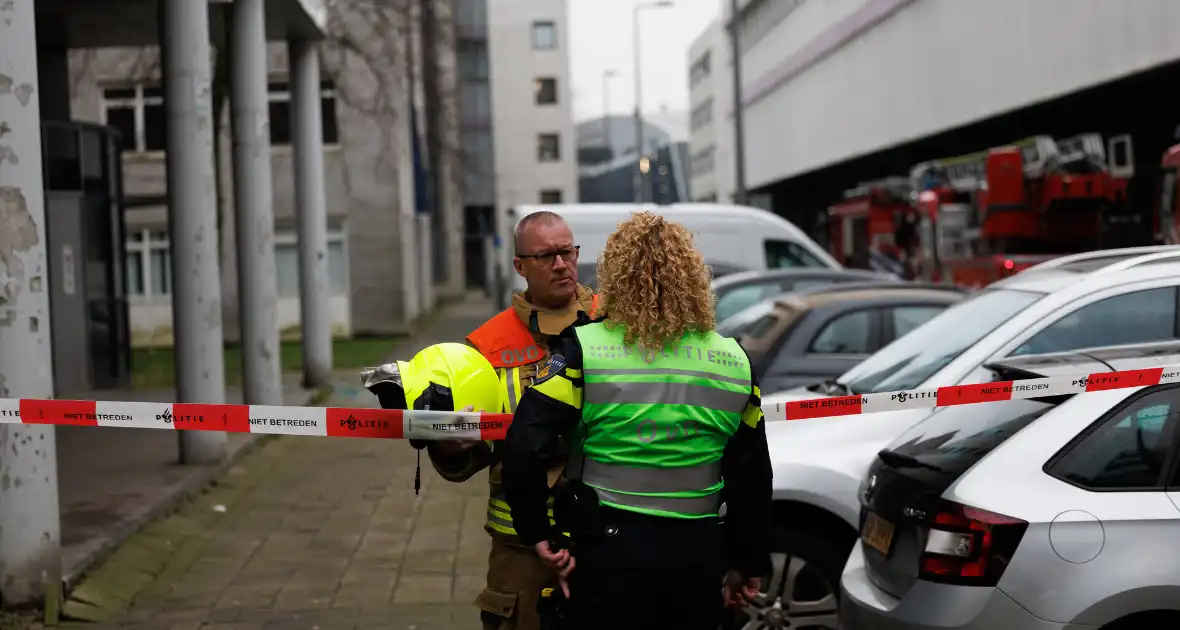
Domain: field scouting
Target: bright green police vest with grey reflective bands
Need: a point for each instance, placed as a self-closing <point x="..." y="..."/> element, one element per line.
<point x="657" y="424"/>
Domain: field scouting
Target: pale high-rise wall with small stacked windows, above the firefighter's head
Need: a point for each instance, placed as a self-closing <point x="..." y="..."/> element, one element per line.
<point x="516" y="117"/>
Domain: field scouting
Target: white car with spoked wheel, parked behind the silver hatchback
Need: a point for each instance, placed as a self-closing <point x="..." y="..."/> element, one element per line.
<point x="1096" y="299"/>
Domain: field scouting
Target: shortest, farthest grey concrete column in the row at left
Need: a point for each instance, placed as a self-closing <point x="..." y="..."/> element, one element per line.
<point x="311" y="209"/>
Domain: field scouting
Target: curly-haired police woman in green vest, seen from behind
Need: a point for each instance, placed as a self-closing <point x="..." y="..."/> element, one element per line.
<point x="665" y="424"/>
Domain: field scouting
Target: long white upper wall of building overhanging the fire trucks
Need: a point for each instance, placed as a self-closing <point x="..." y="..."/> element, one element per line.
<point x="932" y="67"/>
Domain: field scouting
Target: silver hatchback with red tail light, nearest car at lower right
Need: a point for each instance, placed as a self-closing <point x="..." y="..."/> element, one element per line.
<point x="1047" y="514"/>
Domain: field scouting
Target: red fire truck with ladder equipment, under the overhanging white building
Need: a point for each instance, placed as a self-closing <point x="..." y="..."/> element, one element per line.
<point x="976" y="219"/>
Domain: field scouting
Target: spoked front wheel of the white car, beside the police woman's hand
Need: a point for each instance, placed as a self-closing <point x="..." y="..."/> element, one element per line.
<point x="803" y="592"/>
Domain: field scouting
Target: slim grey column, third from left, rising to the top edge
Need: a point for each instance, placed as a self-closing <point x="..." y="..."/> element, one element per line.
<point x="258" y="293"/>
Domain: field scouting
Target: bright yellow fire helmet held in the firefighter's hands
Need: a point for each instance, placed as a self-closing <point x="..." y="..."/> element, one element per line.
<point x="445" y="377"/>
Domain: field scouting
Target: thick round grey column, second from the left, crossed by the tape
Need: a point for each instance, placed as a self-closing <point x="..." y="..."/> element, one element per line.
<point x="192" y="218"/>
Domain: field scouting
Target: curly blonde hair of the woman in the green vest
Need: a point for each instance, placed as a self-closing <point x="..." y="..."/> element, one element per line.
<point x="654" y="283"/>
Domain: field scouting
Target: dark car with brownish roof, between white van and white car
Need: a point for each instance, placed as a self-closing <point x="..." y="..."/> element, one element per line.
<point x="818" y="334"/>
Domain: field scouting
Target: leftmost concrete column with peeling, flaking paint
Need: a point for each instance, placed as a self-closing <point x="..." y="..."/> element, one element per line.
<point x="30" y="527"/>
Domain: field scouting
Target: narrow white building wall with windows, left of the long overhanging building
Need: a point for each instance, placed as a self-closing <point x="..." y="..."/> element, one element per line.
<point x="718" y="133"/>
